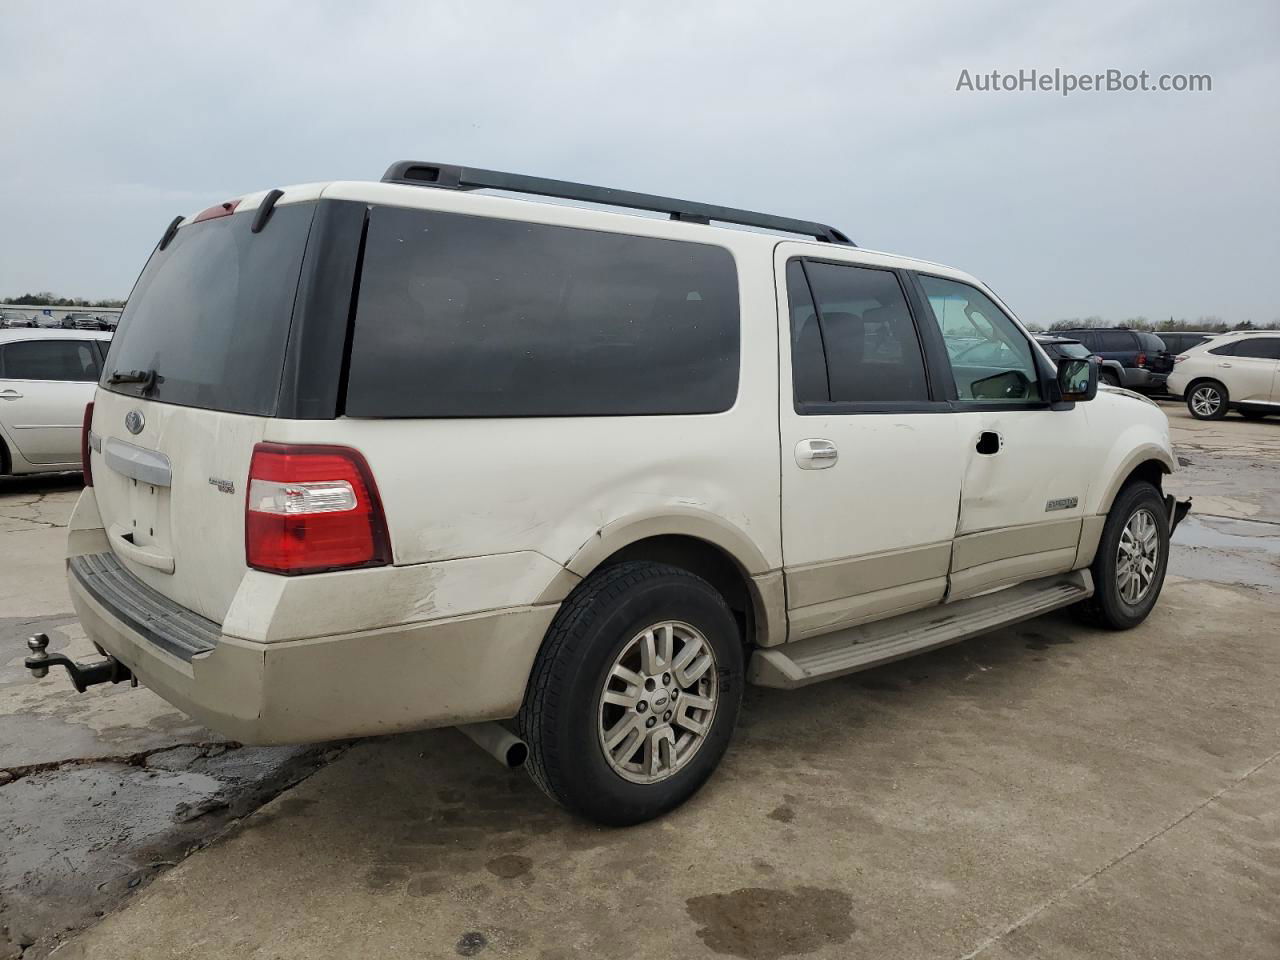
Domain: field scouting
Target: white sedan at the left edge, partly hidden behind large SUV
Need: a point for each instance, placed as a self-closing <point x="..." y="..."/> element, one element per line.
<point x="47" y="378"/>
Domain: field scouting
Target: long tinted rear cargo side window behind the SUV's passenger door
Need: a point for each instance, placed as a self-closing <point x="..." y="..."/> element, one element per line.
<point x="468" y="317"/>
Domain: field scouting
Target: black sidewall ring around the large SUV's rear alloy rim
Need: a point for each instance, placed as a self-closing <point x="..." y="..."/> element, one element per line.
<point x="592" y="788"/>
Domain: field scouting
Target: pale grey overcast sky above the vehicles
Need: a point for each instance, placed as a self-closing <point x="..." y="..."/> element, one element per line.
<point x="117" y="117"/>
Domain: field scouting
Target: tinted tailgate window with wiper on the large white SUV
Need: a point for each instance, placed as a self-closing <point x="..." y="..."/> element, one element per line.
<point x="211" y="314"/>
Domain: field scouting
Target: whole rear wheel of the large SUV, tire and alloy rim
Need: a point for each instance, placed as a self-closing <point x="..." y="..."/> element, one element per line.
<point x="566" y="721"/>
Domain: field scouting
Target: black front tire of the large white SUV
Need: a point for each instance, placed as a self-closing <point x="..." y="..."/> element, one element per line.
<point x="1114" y="605"/>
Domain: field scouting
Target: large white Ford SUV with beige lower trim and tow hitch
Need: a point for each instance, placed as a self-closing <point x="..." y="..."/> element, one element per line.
<point x="373" y="458"/>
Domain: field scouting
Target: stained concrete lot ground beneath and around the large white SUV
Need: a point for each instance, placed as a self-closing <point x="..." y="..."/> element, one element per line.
<point x="1044" y="792"/>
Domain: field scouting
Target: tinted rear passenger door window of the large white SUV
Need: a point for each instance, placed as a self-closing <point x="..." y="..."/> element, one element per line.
<point x="858" y="317"/>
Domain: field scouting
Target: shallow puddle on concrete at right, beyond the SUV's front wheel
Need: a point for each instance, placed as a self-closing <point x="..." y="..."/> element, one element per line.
<point x="1224" y="551"/>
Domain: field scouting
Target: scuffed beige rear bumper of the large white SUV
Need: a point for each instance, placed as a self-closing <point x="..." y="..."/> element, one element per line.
<point x="442" y="673"/>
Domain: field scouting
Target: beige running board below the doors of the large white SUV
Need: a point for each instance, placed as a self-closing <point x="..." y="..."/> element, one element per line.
<point x="872" y="644"/>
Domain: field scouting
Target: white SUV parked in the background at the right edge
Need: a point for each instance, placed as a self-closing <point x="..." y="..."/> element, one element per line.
<point x="1237" y="372"/>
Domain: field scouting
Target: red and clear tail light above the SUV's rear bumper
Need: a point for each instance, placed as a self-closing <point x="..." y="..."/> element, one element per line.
<point x="313" y="509"/>
